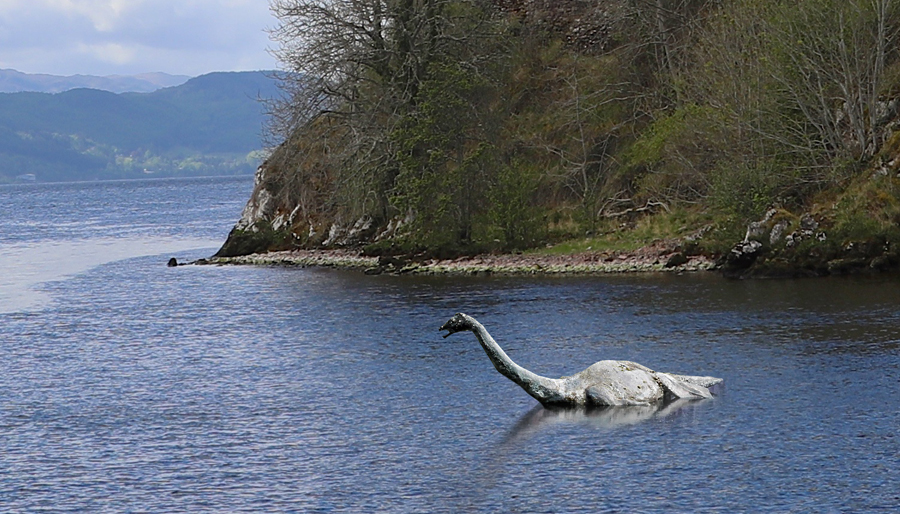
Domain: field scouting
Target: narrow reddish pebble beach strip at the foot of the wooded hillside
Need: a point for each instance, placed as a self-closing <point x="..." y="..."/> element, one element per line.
<point x="648" y="259"/>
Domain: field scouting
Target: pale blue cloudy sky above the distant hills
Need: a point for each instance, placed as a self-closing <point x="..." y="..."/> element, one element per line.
<point x="127" y="37"/>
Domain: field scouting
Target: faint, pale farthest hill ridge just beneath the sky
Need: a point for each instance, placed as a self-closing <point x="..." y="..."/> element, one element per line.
<point x="12" y="81"/>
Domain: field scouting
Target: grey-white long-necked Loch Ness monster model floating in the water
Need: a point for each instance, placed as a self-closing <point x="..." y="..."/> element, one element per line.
<point x="604" y="383"/>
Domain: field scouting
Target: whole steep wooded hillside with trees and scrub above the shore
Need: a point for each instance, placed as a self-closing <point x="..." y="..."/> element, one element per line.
<point x="442" y="126"/>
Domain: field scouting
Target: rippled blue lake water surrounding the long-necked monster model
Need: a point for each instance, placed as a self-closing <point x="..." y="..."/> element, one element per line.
<point x="127" y="386"/>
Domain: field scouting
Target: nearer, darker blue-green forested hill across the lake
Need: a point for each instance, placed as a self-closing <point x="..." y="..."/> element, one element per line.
<point x="211" y="124"/>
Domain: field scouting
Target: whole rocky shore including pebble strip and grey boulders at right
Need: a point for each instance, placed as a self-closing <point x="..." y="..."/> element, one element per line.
<point x="779" y="245"/>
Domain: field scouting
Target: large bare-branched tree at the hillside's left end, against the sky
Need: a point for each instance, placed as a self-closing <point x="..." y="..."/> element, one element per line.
<point x="361" y="63"/>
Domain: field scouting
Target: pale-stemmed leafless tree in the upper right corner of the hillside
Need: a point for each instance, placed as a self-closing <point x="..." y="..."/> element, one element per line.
<point x="833" y="56"/>
